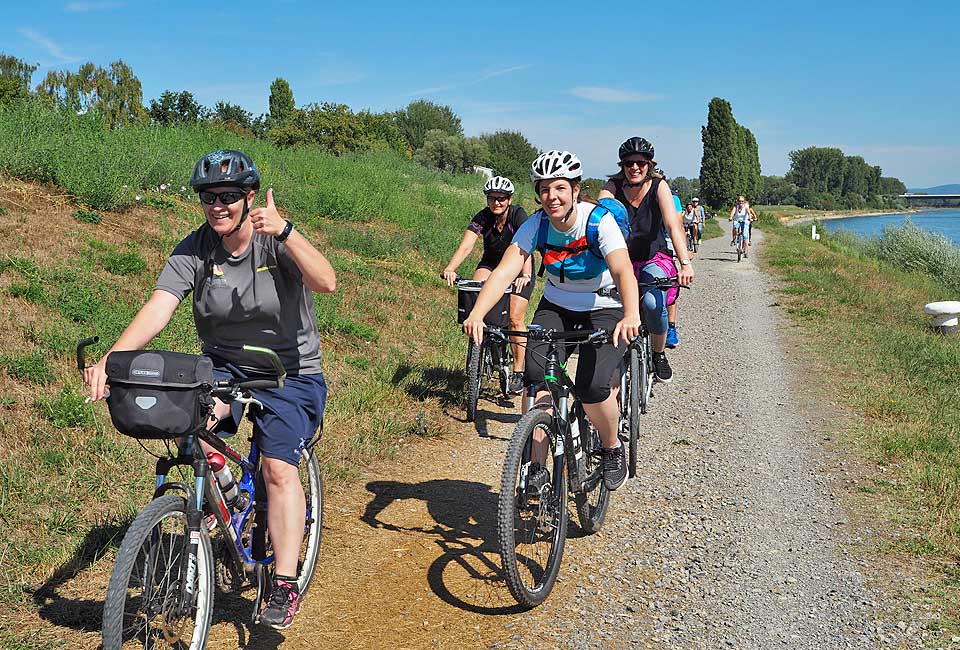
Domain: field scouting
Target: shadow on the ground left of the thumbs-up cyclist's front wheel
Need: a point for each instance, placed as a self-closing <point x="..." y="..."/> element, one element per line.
<point x="82" y="614"/>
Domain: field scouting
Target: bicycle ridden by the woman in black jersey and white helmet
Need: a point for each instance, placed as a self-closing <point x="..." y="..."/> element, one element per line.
<point x="488" y="358"/>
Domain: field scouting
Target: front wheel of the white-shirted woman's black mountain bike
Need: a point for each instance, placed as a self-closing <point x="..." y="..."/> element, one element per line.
<point x="531" y="524"/>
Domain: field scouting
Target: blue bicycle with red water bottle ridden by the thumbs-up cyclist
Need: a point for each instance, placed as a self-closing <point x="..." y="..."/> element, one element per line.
<point x="161" y="590"/>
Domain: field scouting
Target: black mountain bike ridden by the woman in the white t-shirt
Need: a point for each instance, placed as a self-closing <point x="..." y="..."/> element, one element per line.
<point x="531" y="517"/>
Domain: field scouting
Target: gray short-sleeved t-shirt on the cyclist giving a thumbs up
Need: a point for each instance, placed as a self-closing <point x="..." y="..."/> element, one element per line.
<point x="256" y="298"/>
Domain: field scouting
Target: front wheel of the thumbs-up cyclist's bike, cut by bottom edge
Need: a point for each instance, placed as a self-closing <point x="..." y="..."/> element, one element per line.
<point x="141" y="609"/>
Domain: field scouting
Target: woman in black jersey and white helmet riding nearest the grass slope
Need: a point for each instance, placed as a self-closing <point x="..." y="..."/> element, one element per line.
<point x="496" y="224"/>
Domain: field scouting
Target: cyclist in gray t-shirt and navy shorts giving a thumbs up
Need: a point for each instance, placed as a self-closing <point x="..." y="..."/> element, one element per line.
<point x="252" y="276"/>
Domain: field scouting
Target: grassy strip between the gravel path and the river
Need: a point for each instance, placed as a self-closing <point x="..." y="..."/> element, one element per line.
<point x="863" y="316"/>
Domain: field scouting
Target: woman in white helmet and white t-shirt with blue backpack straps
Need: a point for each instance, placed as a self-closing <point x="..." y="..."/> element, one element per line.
<point x="582" y="291"/>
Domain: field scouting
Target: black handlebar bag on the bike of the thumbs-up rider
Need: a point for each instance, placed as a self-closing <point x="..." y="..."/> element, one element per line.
<point x="158" y="394"/>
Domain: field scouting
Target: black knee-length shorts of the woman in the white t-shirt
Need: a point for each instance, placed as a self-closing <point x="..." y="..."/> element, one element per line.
<point x="597" y="368"/>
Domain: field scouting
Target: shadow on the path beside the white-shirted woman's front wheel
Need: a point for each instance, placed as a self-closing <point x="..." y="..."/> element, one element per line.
<point x="467" y="573"/>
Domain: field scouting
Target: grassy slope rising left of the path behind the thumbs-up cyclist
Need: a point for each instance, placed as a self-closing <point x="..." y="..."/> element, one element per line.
<point x="78" y="256"/>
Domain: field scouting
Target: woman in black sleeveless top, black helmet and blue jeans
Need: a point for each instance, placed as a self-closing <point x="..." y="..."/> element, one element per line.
<point x="650" y="205"/>
